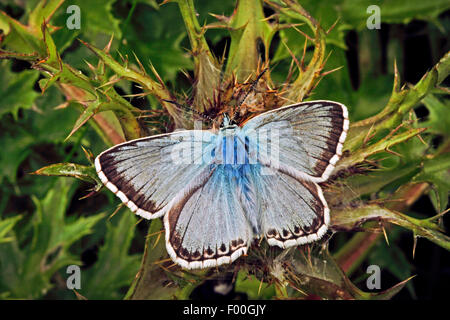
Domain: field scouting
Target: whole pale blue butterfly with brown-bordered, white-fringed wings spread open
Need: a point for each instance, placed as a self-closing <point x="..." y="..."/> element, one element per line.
<point x="219" y="190"/>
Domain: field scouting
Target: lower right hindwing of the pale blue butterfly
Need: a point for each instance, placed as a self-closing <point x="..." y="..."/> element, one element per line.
<point x="291" y="211"/>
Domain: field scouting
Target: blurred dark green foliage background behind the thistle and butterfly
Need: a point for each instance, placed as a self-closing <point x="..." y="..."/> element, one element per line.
<point x="46" y="223"/>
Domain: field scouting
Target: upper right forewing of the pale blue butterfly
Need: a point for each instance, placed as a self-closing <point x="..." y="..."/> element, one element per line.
<point x="305" y="138"/>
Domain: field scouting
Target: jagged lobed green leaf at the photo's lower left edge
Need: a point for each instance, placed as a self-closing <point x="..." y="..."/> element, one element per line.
<point x="26" y="271"/>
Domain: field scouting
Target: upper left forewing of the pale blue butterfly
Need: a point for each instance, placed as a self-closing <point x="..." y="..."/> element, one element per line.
<point x="147" y="173"/>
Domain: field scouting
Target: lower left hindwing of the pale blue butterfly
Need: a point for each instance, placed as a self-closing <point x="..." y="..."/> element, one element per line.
<point x="206" y="224"/>
